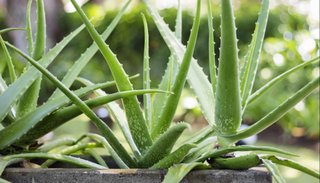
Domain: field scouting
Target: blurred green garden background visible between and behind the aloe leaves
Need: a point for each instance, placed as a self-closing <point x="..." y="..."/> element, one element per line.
<point x="292" y="37"/>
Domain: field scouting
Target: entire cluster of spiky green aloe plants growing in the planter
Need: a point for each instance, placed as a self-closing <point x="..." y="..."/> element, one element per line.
<point x="149" y="132"/>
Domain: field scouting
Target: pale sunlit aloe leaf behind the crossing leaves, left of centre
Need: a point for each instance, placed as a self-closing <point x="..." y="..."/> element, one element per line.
<point x="119" y="117"/>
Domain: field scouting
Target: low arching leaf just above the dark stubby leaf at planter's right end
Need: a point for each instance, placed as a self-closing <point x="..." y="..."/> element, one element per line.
<point x="225" y="150"/>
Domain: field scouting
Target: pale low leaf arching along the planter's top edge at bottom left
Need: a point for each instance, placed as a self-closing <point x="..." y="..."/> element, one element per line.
<point x="58" y="157"/>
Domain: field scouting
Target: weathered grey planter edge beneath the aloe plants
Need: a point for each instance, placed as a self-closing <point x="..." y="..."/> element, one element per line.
<point x="19" y="175"/>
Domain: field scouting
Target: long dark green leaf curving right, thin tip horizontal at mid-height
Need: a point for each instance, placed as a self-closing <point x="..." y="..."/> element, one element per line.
<point x="62" y="116"/>
